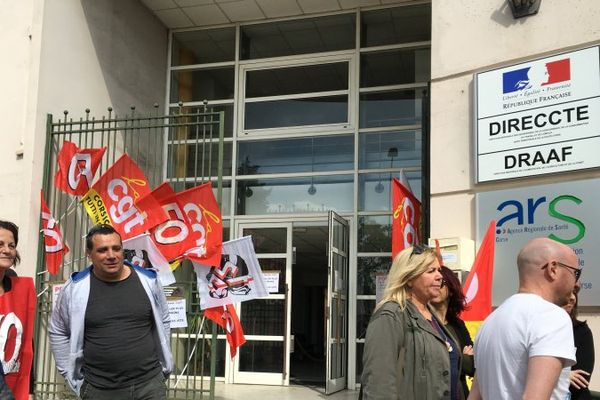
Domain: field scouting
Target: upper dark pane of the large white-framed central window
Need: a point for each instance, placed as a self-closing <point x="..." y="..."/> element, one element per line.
<point x="294" y="80"/>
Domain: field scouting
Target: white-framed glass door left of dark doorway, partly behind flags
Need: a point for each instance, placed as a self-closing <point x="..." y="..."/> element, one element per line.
<point x="264" y="359"/>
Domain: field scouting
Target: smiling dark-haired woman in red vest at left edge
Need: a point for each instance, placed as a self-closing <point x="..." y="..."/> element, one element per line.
<point x="17" y="297"/>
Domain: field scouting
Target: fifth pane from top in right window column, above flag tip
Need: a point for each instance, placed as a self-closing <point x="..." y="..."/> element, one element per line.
<point x="374" y="190"/>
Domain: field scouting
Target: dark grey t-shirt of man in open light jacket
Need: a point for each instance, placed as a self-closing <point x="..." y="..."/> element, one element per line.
<point x="119" y="349"/>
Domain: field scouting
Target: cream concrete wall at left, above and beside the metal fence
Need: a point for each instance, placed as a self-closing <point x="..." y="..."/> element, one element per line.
<point x="68" y="55"/>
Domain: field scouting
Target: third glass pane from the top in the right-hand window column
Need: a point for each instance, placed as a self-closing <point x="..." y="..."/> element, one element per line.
<point x="398" y="107"/>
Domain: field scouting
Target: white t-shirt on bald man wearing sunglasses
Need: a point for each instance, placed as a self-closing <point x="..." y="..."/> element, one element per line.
<point x="525" y="325"/>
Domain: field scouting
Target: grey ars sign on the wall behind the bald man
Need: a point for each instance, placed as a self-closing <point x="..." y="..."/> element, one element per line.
<point x="565" y="212"/>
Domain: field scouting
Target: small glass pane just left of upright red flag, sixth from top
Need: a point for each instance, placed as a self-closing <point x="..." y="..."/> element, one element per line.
<point x="375" y="233"/>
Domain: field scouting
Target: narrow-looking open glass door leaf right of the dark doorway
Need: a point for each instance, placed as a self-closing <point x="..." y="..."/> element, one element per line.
<point x="337" y="304"/>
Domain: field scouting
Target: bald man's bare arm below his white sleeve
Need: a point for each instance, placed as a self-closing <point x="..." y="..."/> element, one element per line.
<point x="542" y="375"/>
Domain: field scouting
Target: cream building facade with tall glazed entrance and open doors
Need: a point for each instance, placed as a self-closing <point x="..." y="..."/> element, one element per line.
<point x="325" y="102"/>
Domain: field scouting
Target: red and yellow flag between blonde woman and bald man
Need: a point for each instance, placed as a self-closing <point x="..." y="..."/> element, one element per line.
<point x="478" y="286"/>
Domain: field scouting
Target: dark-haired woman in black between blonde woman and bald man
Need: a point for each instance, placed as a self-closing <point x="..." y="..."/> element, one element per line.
<point x="448" y="306"/>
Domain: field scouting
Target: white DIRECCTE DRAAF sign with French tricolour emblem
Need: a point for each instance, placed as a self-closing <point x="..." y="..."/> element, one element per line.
<point x="539" y="117"/>
